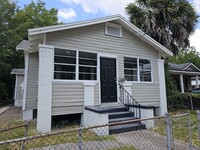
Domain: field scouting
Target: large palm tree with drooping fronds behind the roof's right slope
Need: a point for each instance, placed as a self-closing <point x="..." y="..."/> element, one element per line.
<point x="170" y="22"/>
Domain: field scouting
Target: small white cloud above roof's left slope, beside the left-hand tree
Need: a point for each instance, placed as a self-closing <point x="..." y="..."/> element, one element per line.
<point x="66" y="13"/>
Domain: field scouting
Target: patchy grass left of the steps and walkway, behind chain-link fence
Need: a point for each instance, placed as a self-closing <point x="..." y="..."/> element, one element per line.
<point x="61" y="138"/>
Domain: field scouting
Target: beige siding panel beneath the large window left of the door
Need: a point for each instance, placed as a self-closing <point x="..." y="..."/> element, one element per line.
<point x="67" y="98"/>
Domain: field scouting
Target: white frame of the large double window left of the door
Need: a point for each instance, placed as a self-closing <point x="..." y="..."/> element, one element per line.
<point x="77" y="67"/>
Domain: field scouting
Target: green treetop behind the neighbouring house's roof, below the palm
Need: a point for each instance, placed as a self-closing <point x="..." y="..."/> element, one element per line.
<point x="183" y="56"/>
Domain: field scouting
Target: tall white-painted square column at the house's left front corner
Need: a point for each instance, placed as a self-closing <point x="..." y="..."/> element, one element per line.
<point x="45" y="78"/>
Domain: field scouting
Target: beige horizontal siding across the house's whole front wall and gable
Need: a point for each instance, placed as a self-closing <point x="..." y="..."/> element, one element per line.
<point x="68" y="97"/>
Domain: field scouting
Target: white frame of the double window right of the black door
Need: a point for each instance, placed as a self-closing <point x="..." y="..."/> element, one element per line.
<point x="138" y="70"/>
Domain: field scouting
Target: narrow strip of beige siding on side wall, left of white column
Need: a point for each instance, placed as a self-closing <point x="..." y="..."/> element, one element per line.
<point x="32" y="82"/>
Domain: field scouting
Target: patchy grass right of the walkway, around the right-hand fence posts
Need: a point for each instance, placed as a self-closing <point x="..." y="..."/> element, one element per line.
<point x="180" y="126"/>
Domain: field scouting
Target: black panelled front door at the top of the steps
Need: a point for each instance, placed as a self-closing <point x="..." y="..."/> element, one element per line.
<point x="107" y="79"/>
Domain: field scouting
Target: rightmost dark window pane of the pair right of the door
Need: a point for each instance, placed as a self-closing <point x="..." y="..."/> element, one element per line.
<point x="145" y="70"/>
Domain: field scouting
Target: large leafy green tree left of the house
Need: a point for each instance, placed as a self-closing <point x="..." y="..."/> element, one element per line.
<point x="14" y="25"/>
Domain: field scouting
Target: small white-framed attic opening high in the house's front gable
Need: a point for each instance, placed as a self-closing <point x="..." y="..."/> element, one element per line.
<point x="113" y="29"/>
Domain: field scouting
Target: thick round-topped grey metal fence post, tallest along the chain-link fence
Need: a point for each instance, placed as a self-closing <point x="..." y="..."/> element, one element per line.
<point x="168" y="131"/>
